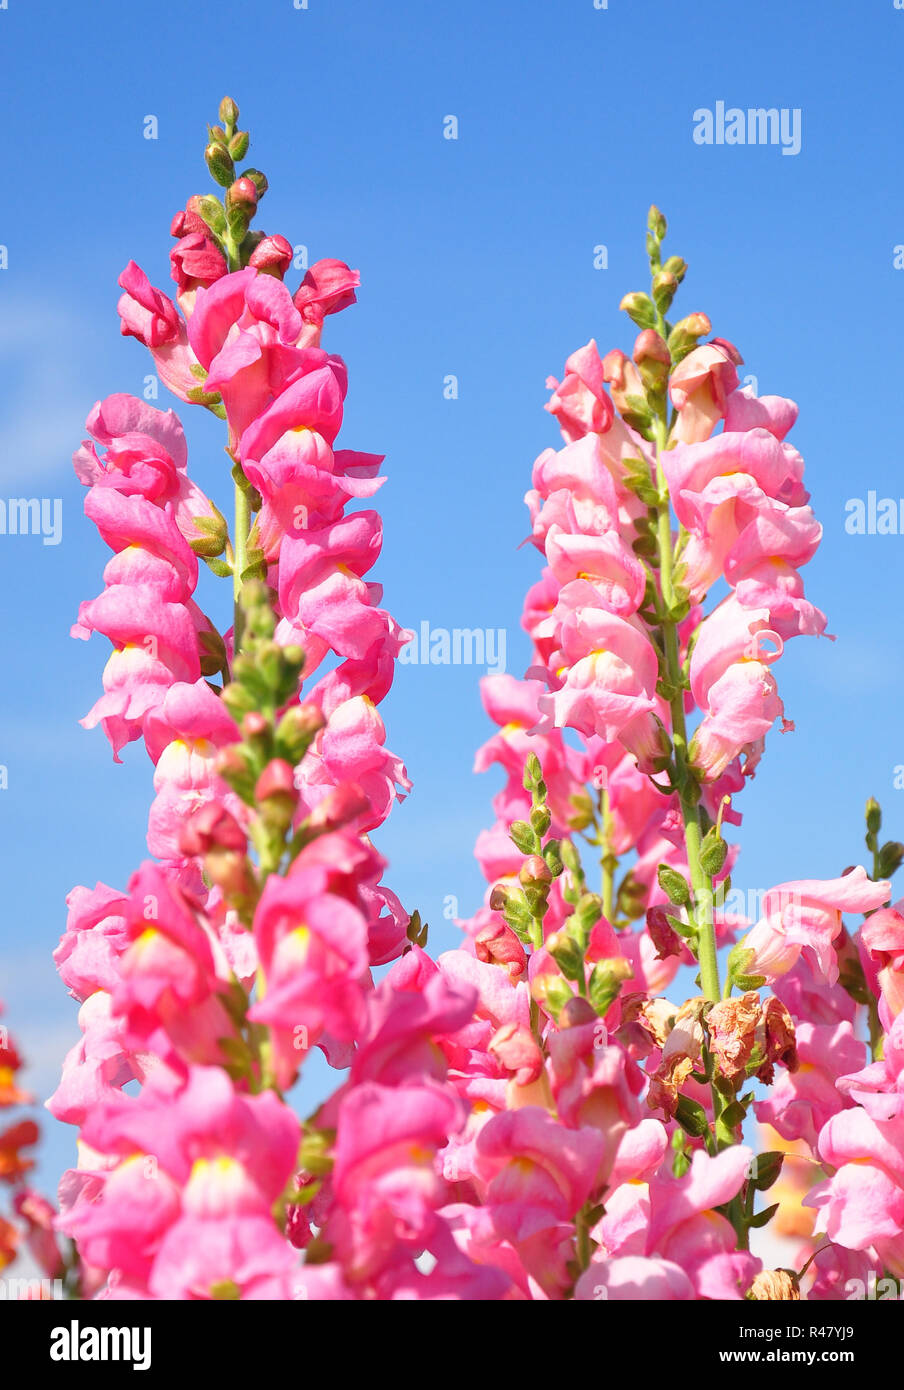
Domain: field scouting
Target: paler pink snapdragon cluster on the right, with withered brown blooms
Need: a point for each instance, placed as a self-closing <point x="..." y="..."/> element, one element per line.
<point x="645" y="710"/>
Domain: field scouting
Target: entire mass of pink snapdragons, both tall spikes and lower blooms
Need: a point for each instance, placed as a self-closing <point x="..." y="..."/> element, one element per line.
<point x="540" y="1114"/>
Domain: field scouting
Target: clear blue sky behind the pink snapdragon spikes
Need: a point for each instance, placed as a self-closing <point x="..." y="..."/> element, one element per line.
<point x="478" y="261"/>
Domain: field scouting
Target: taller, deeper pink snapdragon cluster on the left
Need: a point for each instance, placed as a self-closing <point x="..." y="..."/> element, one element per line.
<point x="250" y="939"/>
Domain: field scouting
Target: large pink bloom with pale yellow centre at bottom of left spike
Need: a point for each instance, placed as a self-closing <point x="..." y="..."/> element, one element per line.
<point x="183" y="1207"/>
